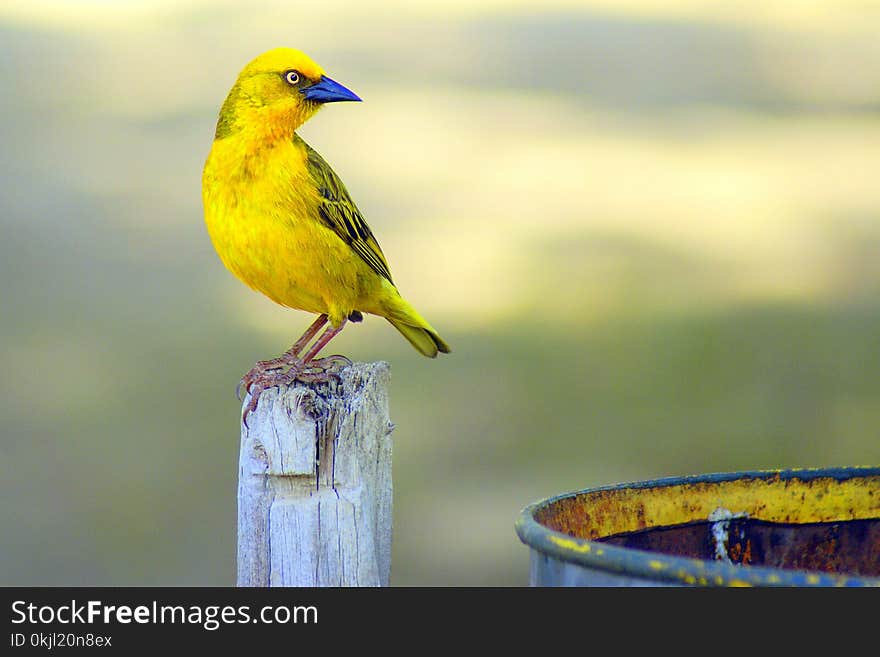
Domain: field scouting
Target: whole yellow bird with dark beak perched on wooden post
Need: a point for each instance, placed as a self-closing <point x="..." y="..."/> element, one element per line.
<point x="282" y="221"/>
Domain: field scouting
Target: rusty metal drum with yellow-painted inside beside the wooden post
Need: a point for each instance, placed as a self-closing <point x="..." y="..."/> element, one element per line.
<point x="768" y="528"/>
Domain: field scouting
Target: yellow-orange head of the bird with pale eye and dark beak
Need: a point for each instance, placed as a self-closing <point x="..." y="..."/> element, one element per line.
<point x="276" y="93"/>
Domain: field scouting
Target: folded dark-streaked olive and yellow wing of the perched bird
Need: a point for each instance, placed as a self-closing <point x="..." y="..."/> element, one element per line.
<point x="339" y="212"/>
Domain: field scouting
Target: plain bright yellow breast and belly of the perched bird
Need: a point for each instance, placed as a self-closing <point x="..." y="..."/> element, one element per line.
<point x="261" y="212"/>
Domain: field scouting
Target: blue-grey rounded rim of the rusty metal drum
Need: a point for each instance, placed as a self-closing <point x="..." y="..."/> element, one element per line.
<point x="682" y="570"/>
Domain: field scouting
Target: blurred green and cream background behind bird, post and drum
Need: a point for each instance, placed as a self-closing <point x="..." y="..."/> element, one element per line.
<point x="650" y="230"/>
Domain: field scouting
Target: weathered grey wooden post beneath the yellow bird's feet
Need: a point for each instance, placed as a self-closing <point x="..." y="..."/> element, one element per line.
<point x="314" y="490"/>
